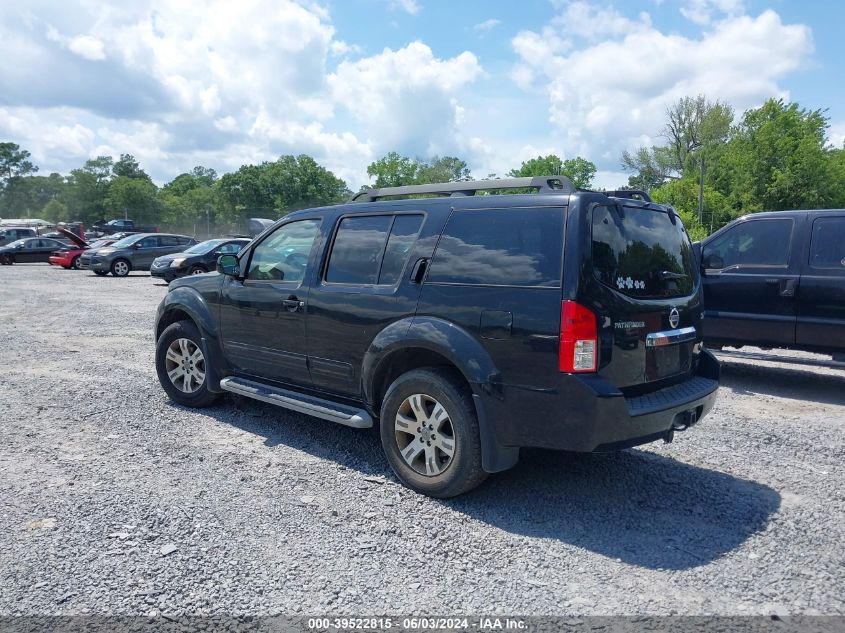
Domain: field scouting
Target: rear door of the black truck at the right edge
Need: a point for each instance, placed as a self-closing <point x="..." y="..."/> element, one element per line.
<point x="821" y="306"/>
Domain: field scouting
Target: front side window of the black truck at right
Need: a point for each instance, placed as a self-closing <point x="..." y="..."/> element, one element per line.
<point x="752" y="243"/>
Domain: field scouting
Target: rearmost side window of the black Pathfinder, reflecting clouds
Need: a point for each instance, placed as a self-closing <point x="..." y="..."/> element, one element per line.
<point x="503" y="247"/>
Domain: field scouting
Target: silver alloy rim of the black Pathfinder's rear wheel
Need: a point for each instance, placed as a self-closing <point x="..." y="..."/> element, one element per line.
<point x="425" y="435"/>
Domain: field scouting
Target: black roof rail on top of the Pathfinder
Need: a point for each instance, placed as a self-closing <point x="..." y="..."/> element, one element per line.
<point x="543" y="184"/>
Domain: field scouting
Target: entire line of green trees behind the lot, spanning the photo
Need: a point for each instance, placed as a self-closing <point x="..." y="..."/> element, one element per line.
<point x="710" y="166"/>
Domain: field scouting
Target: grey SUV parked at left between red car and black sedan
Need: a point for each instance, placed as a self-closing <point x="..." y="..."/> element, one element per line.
<point x="135" y="252"/>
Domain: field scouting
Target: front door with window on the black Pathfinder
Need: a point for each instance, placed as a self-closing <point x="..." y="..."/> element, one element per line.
<point x="263" y="312"/>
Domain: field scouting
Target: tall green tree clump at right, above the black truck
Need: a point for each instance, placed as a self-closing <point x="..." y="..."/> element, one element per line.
<point x="714" y="169"/>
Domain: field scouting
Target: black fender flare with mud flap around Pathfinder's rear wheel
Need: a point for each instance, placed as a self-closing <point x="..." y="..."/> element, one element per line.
<point x="465" y="353"/>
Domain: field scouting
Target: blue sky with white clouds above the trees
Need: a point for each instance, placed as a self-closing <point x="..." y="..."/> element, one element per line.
<point x="495" y="82"/>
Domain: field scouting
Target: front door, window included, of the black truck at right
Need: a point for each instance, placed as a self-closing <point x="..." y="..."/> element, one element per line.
<point x="750" y="274"/>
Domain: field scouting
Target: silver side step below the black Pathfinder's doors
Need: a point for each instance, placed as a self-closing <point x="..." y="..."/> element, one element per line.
<point x="310" y="405"/>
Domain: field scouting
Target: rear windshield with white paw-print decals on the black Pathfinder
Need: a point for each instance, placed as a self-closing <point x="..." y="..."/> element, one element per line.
<point x="642" y="252"/>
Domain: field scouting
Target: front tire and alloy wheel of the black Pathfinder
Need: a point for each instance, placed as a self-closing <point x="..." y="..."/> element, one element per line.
<point x="184" y="381"/>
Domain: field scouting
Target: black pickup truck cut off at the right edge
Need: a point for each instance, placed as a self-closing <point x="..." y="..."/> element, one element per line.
<point x="777" y="280"/>
